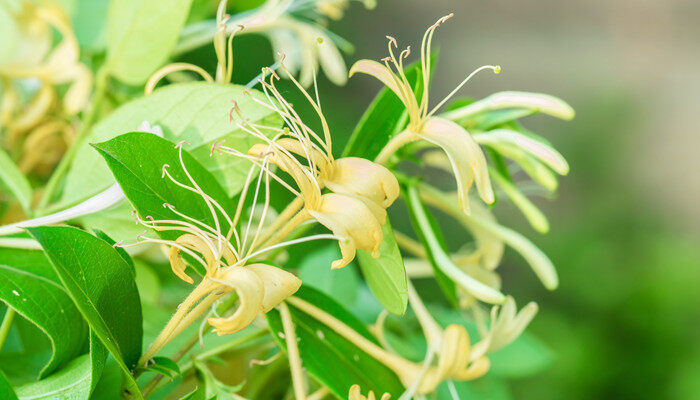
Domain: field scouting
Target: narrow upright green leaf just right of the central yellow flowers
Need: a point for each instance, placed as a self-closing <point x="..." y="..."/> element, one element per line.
<point x="429" y="233"/>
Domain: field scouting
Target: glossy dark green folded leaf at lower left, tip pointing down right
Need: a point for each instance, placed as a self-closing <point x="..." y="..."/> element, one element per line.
<point x="102" y="286"/>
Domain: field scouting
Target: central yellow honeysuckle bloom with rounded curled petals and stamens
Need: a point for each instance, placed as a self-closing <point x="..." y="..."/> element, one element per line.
<point x="360" y="189"/>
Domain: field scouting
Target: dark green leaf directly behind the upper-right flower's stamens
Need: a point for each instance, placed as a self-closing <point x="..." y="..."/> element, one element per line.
<point x="385" y="117"/>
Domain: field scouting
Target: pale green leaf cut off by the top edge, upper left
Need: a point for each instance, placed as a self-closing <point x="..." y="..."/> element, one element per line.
<point x="141" y="34"/>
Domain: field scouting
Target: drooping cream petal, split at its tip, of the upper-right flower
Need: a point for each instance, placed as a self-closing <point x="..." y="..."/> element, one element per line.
<point x="467" y="159"/>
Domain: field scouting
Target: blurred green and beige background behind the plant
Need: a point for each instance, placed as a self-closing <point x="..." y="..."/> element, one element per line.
<point x="625" y="322"/>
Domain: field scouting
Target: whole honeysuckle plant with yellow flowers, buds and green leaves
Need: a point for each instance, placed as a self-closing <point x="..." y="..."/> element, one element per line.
<point x="193" y="222"/>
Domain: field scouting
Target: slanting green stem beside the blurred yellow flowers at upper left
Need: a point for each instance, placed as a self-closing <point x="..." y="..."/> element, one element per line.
<point x="101" y="80"/>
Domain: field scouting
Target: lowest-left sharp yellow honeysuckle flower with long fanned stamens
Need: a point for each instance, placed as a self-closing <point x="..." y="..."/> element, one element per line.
<point x="228" y="255"/>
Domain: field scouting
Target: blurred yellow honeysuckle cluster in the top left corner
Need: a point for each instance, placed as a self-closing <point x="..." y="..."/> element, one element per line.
<point x="32" y="68"/>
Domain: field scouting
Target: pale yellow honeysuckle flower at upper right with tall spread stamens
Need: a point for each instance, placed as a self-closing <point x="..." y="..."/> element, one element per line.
<point x="466" y="158"/>
